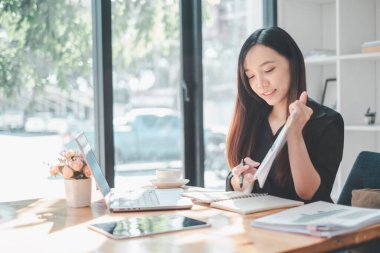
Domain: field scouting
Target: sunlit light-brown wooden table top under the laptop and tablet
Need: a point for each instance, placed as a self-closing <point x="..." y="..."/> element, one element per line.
<point x="47" y="225"/>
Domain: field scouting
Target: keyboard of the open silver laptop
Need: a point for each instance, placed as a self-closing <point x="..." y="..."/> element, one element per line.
<point x="146" y="198"/>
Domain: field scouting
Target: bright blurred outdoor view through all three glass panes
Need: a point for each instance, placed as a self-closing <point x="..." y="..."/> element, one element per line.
<point x="47" y="90"/>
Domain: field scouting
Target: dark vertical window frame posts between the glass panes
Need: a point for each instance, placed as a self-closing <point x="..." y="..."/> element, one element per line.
<point x="191" y="86"/>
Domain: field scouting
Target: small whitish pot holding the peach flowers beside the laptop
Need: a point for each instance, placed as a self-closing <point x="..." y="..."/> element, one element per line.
<point x="78" y="192"/>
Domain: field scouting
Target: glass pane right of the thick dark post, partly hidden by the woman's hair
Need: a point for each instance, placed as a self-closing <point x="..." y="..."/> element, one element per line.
<point x="226" y="25"/>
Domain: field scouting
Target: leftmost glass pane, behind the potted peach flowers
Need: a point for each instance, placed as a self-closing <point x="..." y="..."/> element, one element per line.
<point x="46" y="90"/>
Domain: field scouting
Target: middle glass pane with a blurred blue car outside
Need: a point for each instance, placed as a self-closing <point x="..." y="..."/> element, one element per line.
<point x="146" y="64"/>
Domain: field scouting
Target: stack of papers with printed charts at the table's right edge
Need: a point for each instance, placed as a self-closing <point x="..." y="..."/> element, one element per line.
<point x="321" y="219"/>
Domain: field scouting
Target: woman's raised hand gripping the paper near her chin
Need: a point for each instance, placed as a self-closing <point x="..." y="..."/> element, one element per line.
<point x="303" y="114"/>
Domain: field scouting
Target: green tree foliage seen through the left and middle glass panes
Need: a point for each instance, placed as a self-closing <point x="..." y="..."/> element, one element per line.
<point x="47" y="44"/>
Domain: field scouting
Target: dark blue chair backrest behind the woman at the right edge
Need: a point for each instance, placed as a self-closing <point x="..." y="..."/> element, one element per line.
<point x="364" y="174"/>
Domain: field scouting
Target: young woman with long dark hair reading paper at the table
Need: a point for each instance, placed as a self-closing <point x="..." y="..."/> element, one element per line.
<point x="271" y="84"/>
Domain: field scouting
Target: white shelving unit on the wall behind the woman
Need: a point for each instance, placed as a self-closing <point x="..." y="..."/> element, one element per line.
<point x="343" y="26"/>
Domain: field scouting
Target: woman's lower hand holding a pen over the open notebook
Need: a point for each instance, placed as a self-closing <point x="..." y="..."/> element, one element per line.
<point x="248" y="170"/>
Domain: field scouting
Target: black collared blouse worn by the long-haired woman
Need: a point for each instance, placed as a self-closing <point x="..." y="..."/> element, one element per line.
<point x="323" y="135"/>
